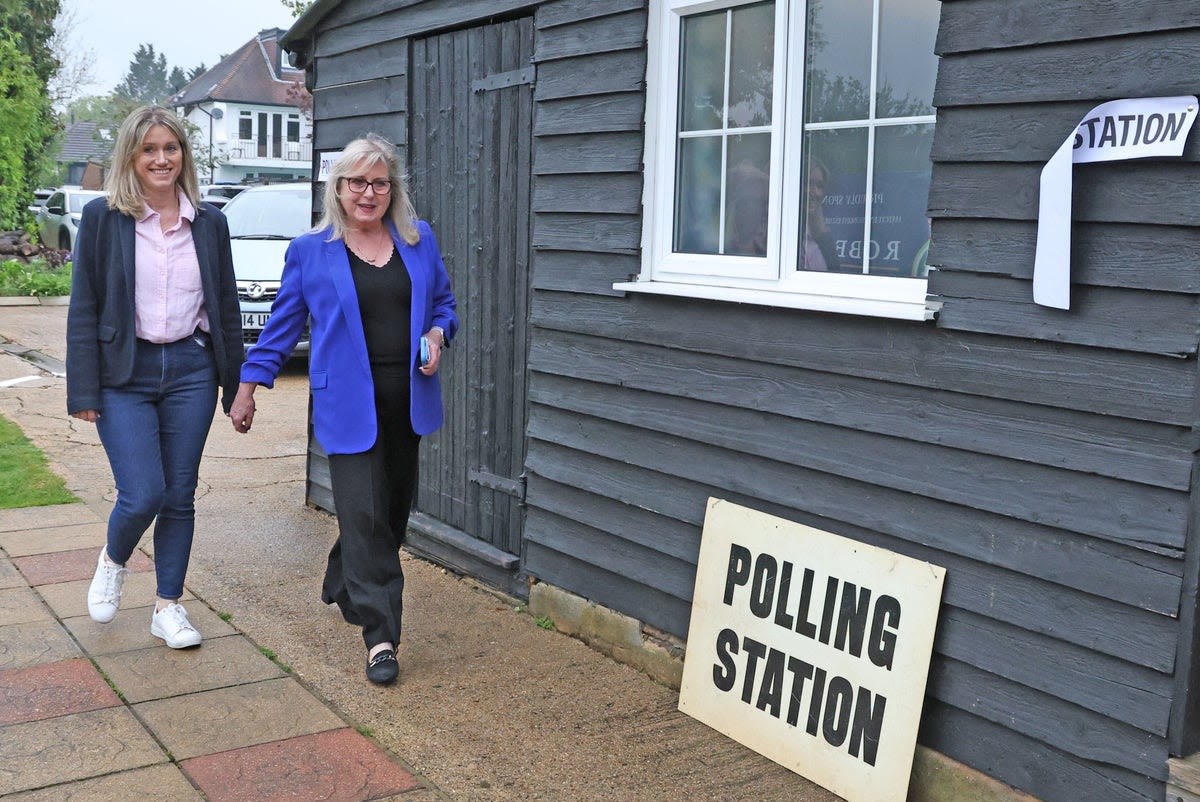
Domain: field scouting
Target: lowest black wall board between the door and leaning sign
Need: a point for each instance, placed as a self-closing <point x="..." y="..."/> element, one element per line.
<point x="615" y="592"/>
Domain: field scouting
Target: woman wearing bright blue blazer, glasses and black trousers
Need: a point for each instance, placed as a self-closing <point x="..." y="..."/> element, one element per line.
<point x="370" y="283"/>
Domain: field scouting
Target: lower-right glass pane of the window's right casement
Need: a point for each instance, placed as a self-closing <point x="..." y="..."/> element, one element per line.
<point x="899" y="222"/>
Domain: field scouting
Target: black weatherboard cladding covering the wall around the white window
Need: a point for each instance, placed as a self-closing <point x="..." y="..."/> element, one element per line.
<point x="1045" y="458"/>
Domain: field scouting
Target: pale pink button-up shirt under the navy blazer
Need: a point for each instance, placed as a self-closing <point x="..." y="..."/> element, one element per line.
<point x="169" y="297"/>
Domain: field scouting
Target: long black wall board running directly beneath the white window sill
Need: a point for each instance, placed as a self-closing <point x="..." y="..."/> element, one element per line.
<point x="1111" y="382"/>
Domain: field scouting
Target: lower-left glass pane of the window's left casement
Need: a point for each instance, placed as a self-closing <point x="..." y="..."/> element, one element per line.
<point x="698" y="196"/>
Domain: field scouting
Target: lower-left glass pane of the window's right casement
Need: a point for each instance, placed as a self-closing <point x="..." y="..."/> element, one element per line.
<point x="833" y="219"/>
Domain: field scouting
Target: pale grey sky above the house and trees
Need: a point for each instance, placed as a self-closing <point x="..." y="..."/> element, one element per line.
<point x="188" y="34"/>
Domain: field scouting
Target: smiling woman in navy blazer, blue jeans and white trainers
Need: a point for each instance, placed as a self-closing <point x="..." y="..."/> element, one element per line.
<point x="153" y="332"/>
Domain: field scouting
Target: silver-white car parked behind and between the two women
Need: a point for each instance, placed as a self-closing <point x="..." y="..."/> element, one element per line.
<point x="263" y="222"/>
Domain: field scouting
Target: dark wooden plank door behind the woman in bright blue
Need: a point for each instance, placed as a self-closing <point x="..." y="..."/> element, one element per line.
<point x="471" y="128"/>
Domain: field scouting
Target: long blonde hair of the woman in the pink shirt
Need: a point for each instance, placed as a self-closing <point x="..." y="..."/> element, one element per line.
<point x="124" y="188"/>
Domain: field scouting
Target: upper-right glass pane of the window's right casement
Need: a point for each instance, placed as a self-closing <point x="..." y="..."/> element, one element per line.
<point x="908" y="65"/>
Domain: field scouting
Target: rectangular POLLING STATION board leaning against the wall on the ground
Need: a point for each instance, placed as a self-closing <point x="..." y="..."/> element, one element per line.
<point x="812" y="650"/>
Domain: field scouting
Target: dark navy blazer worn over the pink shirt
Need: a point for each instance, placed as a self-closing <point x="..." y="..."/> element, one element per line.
<point x="101" y="331"/>
